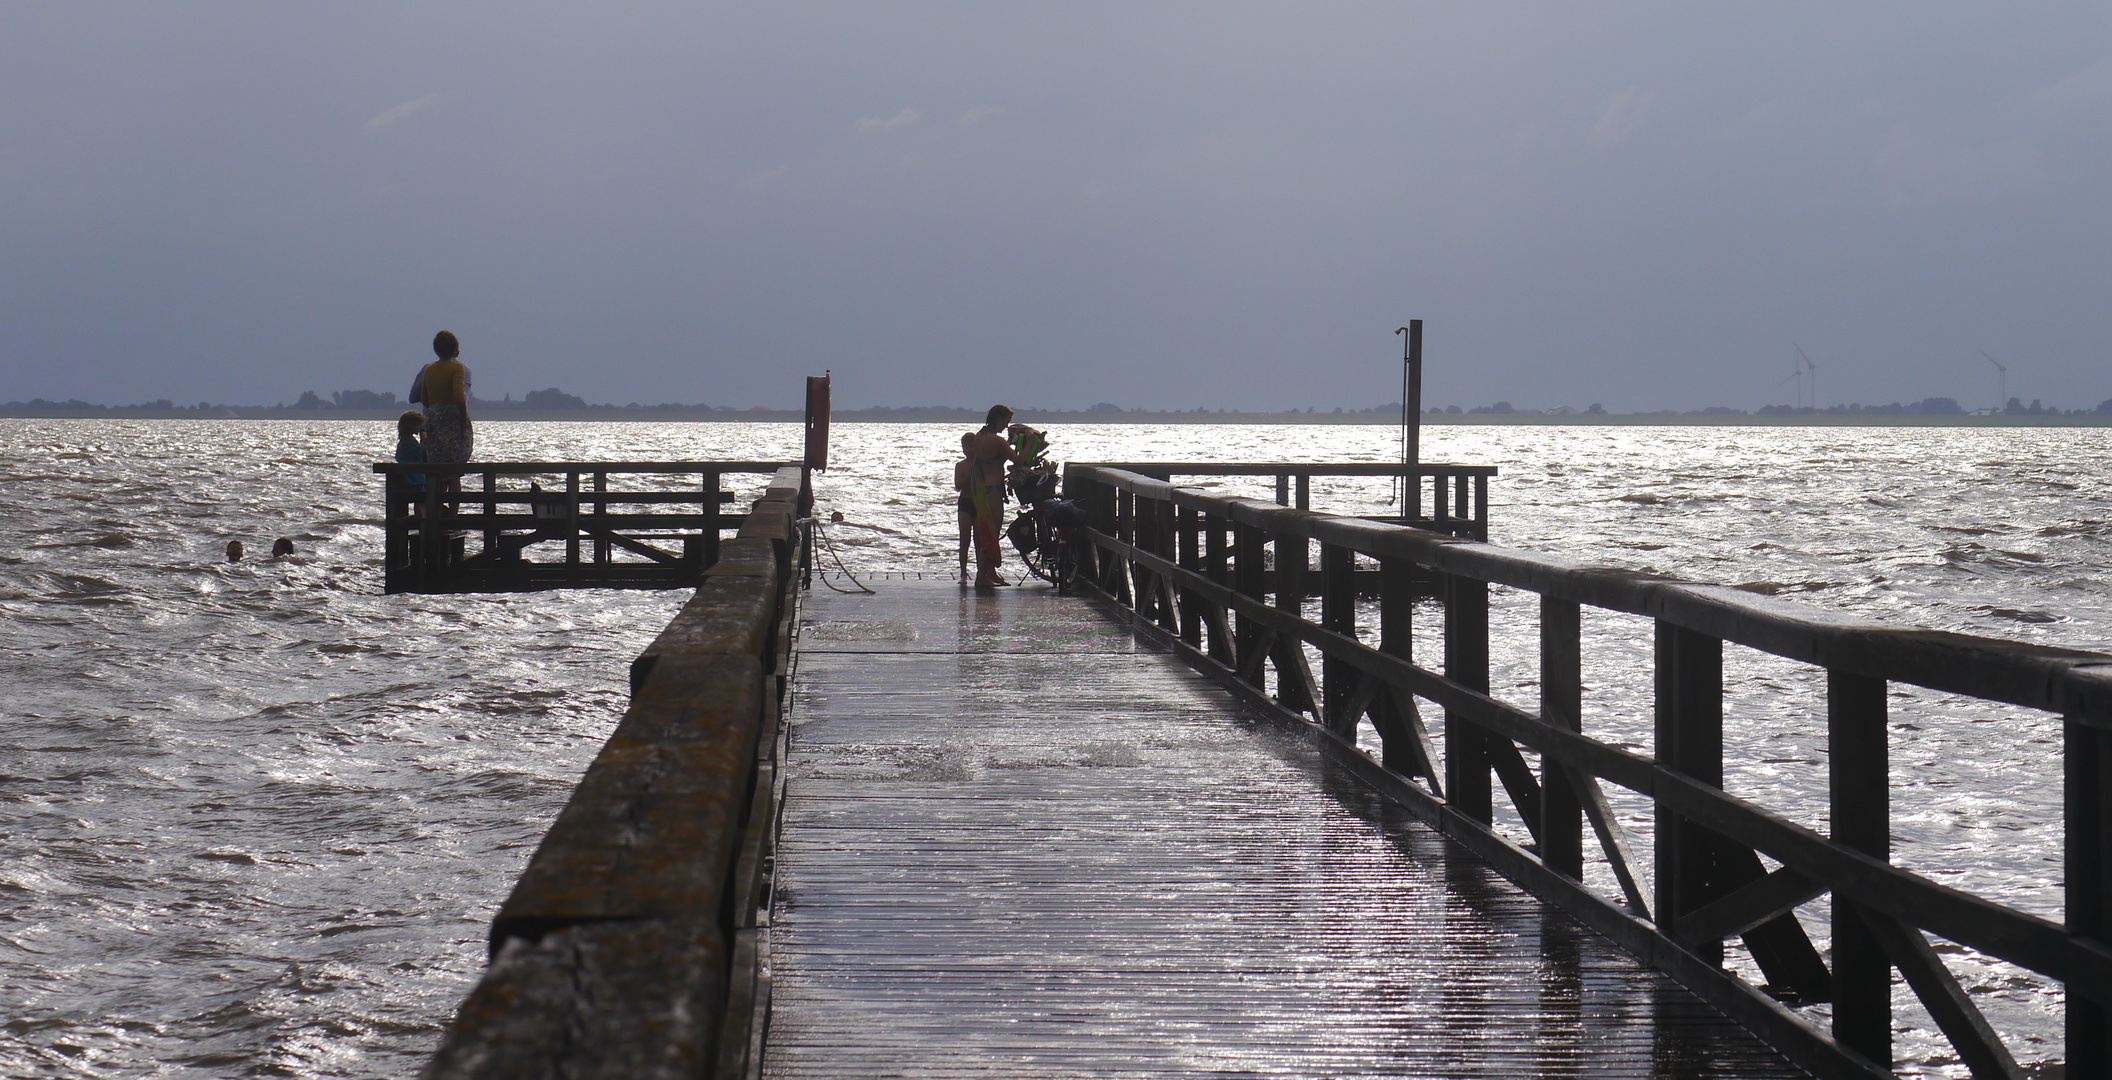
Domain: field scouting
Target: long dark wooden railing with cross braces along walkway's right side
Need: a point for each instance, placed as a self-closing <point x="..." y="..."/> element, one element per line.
<point x="1194" y="570"/>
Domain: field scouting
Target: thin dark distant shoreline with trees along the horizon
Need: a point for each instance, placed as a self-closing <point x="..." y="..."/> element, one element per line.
<point x="1061" y="417"/>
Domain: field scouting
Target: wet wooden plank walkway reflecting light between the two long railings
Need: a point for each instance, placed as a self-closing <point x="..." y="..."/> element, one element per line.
<point x="1017" y="842"/>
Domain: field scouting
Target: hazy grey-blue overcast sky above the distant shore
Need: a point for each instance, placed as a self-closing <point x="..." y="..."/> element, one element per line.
<point x="1158" y="206"/>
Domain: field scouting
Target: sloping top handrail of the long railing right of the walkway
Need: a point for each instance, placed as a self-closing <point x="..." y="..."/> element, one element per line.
<point x="2054" y="679"/>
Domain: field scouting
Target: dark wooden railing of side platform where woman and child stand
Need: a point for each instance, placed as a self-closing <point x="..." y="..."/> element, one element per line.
<point x="607" y="536"/>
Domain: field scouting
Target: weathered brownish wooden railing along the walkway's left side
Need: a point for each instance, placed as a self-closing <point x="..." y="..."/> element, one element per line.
<point x="635" y="942"/>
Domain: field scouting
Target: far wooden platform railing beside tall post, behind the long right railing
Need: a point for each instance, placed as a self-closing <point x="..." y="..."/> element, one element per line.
<point x="1458" y="496"/>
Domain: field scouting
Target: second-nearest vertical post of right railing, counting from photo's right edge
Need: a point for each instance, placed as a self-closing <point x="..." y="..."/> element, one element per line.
<point x="1860" y="783"/>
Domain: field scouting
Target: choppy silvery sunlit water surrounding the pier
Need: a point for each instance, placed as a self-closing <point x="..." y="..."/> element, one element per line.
<point x="257" y="817"/>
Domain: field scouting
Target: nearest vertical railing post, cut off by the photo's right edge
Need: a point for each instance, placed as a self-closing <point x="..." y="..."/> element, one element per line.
<point x="2088" y="863"/>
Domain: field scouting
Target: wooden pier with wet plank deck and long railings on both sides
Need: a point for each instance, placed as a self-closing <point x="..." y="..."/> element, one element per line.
<point x="1133" y="834"/>
